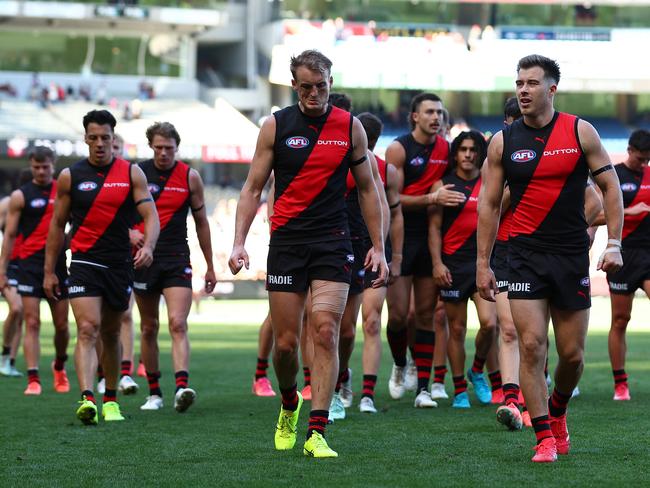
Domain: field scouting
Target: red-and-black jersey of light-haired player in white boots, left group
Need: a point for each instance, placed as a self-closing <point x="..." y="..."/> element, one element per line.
<point x="170" y="190"/>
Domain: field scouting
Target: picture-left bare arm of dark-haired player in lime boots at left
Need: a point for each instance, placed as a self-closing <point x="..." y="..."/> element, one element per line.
<point x="56" y="234"/>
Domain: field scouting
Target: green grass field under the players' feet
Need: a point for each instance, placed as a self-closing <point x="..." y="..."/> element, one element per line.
<point x="226" y="438"/>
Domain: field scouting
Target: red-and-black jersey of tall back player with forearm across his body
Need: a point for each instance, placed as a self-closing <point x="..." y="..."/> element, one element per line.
<point x="424" y="164"/>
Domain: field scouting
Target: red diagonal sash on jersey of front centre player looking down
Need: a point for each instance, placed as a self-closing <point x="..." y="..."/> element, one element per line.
<point x="315" y="172"/>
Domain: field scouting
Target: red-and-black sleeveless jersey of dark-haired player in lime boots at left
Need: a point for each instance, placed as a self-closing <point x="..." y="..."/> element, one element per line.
<point x="102" y="211"/>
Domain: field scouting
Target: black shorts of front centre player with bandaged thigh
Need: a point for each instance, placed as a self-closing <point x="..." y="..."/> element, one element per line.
<point x="293" y="267"/>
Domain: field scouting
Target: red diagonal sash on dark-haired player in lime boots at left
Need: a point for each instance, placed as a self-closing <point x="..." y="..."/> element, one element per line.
<point x="109" y="199"/>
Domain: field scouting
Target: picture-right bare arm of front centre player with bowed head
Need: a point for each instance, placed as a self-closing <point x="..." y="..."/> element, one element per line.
<point x="369" y="202"/>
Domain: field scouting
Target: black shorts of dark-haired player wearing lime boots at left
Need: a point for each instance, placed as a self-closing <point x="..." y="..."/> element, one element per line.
<point x="113" y="285"/>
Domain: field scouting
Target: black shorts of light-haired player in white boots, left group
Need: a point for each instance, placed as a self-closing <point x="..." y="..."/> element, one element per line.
<point x="162" y="274"/>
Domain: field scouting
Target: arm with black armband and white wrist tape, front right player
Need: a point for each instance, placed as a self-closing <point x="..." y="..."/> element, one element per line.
<point x="605" y="177"/>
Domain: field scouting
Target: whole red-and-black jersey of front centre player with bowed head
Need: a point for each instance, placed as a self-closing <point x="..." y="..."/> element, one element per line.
<point x="311" y="158"/>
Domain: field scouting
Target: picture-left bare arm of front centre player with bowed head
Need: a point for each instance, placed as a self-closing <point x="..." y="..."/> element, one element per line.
<point x="249" y="198"/>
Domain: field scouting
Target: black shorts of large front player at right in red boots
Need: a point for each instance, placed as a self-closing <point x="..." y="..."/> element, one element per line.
<point x="563" y="279"/>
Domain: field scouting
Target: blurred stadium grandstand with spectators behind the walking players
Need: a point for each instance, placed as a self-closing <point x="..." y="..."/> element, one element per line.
<point x="216" y="69"/>
